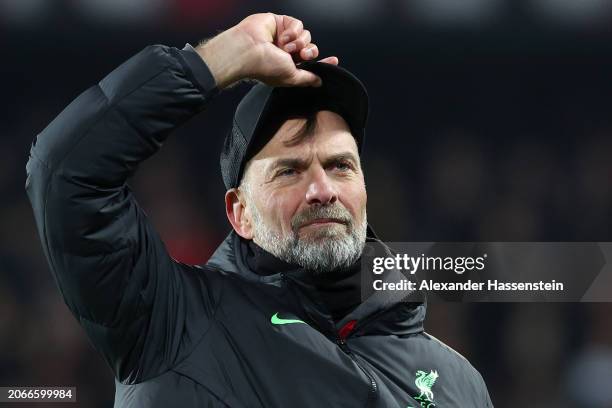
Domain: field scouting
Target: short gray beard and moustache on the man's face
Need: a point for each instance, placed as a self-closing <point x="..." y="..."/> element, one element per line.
<point x="331" y="249"/>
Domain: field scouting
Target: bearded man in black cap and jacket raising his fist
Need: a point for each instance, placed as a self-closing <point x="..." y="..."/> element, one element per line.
<point x="276" y="317"/>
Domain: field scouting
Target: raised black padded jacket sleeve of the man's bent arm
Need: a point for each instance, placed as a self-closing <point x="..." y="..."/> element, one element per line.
<point x="137" y="305"/>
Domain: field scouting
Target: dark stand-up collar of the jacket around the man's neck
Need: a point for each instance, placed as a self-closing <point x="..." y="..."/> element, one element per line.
<point x="394" y="312"/>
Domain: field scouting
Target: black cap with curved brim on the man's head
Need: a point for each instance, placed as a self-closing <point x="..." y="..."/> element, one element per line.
<point x="265" y="108"/>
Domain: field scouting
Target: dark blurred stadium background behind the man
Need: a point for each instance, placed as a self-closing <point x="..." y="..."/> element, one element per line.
<point x="490" y="120"/>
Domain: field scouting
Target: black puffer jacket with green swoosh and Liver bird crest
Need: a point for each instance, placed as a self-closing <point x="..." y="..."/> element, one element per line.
<point x="221" y="334"/>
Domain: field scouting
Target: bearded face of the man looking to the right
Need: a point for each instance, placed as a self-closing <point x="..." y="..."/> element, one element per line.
<point x="306" y="202"/>
